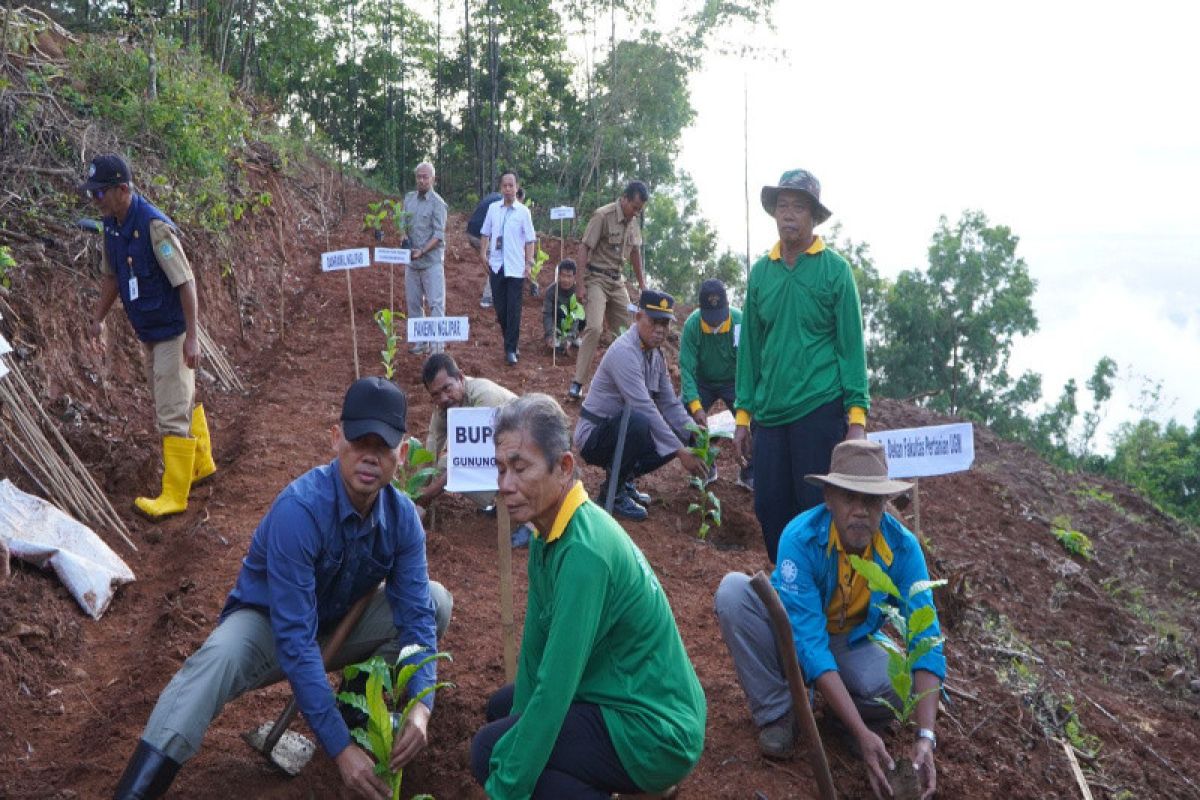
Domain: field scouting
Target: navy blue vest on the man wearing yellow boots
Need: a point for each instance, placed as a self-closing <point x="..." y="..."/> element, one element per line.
<point x="153" y="305"/>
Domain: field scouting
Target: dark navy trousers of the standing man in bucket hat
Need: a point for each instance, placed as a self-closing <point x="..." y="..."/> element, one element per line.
<point x="783" y="456"/>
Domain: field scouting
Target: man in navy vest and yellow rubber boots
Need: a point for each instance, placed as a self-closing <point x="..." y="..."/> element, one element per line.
<point x="145" y="264"/>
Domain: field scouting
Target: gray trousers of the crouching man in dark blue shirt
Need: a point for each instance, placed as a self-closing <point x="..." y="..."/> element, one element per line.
<point x="239" y="657"/>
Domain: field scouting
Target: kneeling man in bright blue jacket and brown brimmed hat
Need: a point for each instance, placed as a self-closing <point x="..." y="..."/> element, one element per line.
<point x="836" y="618"/>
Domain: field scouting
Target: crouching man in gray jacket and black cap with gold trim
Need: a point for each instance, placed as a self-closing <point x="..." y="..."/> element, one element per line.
<point x="634" y="374"/>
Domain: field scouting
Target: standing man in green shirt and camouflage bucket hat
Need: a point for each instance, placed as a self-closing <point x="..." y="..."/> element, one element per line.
<point x="802" y="368"/>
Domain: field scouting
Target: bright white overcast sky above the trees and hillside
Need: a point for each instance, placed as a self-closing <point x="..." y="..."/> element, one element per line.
<point x="1077" y="125"/>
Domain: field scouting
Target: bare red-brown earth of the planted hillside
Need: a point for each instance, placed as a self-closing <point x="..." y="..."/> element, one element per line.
<point x="1034" y="633"/>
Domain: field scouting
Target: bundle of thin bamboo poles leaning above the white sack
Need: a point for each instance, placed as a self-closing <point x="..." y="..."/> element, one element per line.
<point x="58" y="473"/>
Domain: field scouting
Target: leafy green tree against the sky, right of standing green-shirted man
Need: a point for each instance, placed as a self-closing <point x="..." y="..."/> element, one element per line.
<point x="951" y="329"/>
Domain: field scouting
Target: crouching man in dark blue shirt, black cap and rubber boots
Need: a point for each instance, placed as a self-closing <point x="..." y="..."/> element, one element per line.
<point x="331" y="538"/>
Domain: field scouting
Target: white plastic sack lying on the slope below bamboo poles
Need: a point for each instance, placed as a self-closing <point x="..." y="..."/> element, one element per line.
<point x="37" y="532"/>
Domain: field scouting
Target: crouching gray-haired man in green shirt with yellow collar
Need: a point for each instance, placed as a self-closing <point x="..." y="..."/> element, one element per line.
<point x="605" y="699"/>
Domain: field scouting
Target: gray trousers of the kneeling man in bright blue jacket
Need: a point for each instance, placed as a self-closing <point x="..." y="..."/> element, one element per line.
<point x="746" y="628"/>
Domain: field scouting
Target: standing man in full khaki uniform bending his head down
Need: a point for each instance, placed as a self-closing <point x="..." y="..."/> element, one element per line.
<point x="613" y="236"/>
